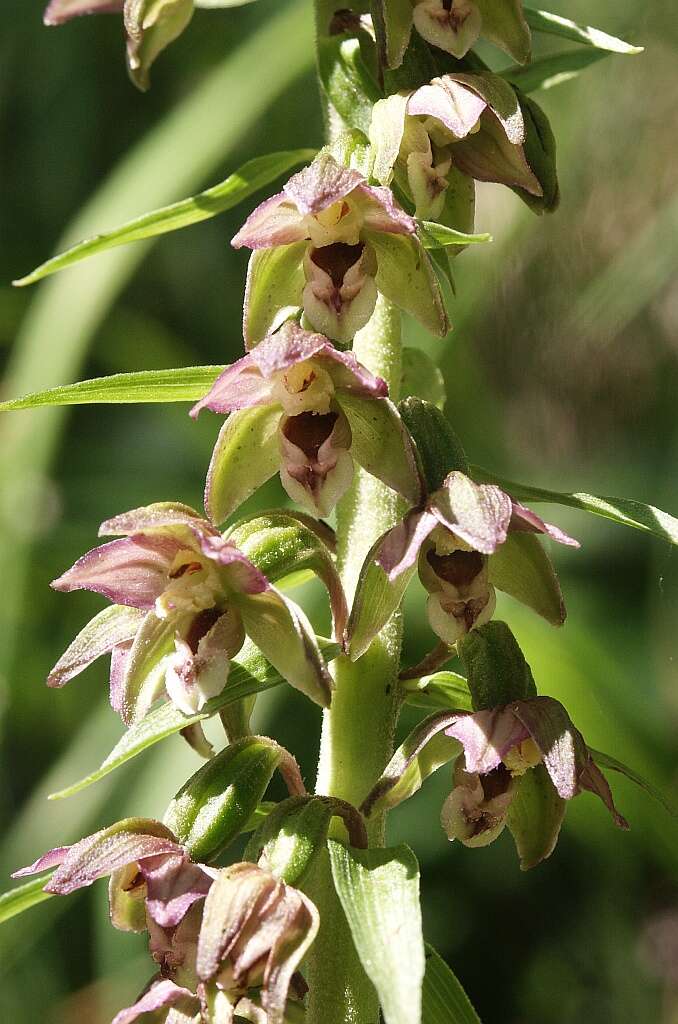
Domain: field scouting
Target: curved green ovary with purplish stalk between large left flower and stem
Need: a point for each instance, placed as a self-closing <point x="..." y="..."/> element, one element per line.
<point x="279" y="544"/>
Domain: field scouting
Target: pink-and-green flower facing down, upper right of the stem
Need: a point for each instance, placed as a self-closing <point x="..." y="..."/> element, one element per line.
<point x="445" y="136"/>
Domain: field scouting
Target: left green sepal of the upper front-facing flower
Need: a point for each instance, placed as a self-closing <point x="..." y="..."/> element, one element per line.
<point x="274" y="289"/>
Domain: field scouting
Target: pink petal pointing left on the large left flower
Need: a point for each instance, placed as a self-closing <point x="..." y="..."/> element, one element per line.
<point x="133" y="571"/>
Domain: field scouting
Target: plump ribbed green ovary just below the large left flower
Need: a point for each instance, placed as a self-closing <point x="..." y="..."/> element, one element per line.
<point x="217" y="803"/>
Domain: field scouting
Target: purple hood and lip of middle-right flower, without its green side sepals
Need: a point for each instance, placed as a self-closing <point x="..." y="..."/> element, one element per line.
<point x="453" y="539"/>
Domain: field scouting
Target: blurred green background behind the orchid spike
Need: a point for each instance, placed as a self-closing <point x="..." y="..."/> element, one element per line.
<point x="562" y="371"/>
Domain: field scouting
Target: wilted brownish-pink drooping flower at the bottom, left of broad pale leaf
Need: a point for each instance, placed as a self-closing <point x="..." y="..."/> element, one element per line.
<point x="256" y="932"/>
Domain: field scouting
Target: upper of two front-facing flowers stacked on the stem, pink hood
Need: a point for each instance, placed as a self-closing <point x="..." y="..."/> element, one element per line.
<point x="329" y="243"/>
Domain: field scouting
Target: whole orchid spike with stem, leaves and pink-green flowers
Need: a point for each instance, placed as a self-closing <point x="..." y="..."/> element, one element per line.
<point x="319" y="920"/>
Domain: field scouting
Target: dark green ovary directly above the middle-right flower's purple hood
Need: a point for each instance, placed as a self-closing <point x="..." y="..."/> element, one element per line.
<point x="438" y="446"/>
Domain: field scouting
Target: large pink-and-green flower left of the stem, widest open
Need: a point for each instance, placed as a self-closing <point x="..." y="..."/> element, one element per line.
<point x="185" y="599"/>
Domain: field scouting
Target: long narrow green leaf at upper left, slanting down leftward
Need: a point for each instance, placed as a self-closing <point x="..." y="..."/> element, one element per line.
<point x="238" y="187"/>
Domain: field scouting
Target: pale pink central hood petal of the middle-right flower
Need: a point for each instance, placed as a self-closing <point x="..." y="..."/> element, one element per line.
<point x="479" y="515"/>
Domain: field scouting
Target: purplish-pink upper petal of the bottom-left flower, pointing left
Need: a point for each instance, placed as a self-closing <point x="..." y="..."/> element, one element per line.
<point x="109" y="850"/>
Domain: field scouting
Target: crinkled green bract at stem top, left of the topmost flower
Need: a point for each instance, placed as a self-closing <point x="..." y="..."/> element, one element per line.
<point x="347" y="81"/>
